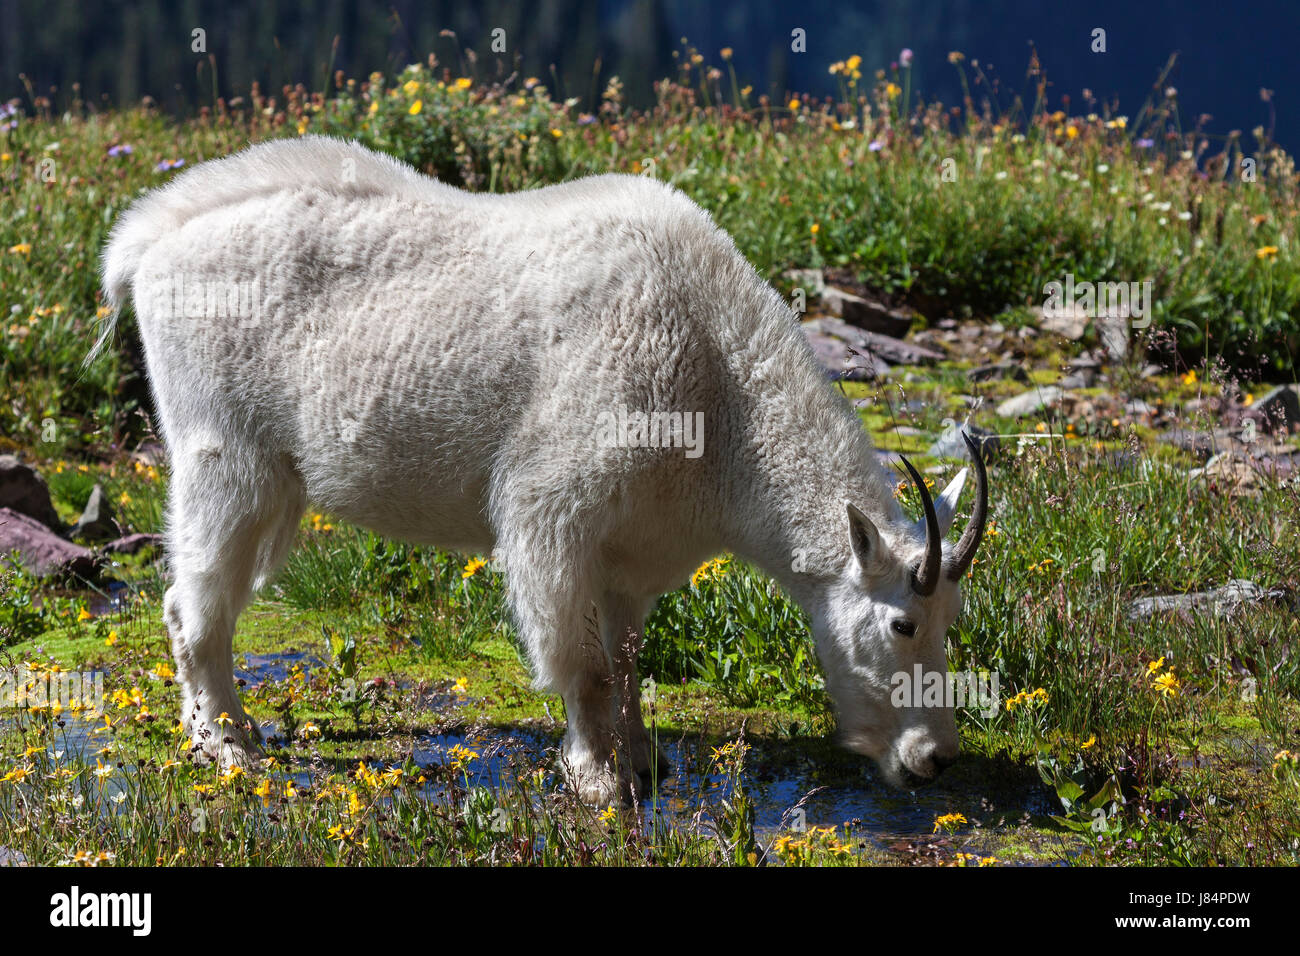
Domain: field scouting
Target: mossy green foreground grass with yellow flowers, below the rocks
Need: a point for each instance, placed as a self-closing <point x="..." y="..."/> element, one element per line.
<point x="1203" y="773"/>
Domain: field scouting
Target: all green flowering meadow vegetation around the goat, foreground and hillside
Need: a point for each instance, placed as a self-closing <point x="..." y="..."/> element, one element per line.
<point x="1168" y="741"/>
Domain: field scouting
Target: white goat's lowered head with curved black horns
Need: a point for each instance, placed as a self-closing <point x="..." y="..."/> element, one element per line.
<point x="885" y="622"/>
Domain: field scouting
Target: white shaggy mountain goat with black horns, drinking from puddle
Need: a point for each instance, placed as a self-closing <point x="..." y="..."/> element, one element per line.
<point x="518" y="373"/>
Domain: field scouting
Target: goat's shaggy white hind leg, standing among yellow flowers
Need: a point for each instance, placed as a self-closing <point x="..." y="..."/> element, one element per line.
<point x="222" y="509"/>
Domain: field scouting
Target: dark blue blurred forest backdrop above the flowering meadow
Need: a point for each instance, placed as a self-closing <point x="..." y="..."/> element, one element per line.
<point x="127" y="49"/>
